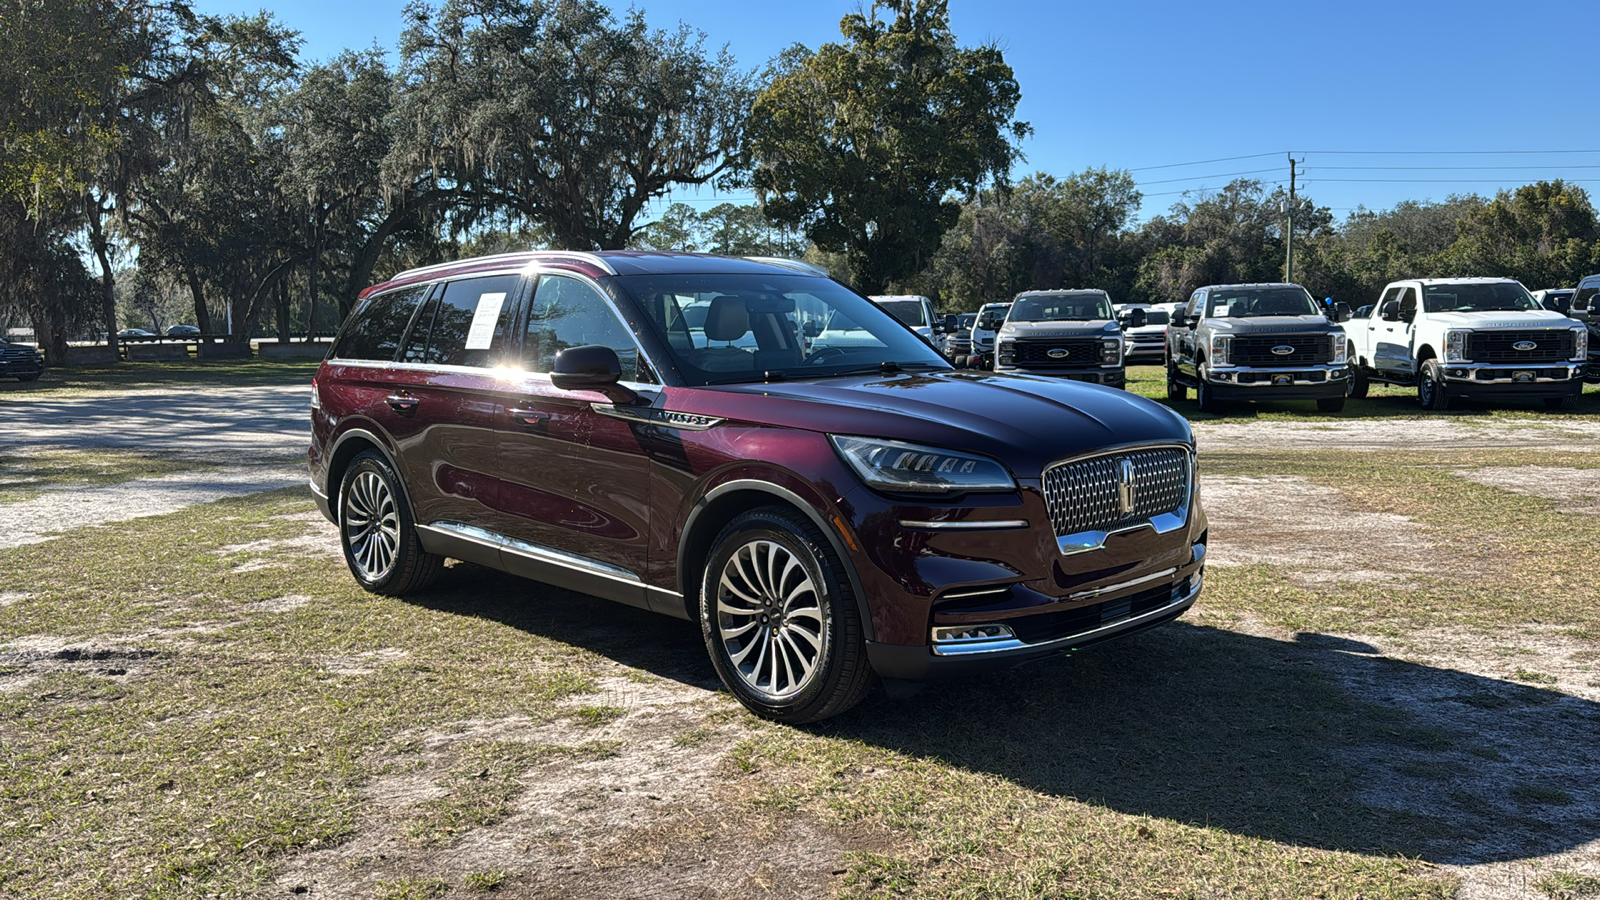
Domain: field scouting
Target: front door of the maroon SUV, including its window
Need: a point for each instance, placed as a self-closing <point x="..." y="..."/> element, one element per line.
<point x="575" y="483"/>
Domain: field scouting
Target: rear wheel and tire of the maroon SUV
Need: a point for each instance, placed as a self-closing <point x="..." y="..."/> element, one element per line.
<point x="377" y="531"/>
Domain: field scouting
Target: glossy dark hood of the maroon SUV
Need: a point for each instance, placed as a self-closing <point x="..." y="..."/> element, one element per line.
<point x="1020" y="420"/>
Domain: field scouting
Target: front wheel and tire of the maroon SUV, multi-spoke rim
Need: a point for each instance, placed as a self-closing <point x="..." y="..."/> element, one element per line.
<point x="780" y="619"/>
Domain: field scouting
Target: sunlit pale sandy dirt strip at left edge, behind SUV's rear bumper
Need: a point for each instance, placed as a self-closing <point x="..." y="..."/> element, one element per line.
<point x="39" y="520"/>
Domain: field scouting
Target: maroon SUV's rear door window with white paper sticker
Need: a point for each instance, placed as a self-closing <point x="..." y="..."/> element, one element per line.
<point x="470" y="324"/>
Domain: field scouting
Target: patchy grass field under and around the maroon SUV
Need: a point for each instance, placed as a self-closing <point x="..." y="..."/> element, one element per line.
<point x="1390" y="689"/>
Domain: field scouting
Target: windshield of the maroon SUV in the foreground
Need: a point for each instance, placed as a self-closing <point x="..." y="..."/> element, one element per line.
<point x="762" y="327"/>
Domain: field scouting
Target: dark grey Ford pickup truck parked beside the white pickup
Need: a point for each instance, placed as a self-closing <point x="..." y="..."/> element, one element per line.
<point x="1265" y="342"/>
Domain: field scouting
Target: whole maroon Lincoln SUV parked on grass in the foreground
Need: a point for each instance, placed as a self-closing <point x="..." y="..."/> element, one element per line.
<point x="751" y="446"/>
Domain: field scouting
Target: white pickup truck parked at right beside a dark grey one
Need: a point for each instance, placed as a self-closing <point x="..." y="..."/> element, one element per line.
<point x="1470" y="339"/>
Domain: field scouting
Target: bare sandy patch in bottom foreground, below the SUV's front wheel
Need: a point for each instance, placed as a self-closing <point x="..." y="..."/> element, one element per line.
<point x="626" y="800"/>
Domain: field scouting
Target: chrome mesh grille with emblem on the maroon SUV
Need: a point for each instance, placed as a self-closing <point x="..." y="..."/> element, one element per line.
<point x="1086" y="496"/>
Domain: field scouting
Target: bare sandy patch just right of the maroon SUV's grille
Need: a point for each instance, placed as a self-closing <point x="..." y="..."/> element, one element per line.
<point x="1314" y="532"/>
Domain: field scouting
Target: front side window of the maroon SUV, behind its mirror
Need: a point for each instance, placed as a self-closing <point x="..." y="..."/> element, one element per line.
<point x="567" y="313"/>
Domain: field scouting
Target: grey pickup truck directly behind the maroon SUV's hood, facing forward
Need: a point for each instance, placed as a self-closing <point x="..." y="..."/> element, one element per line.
<point x="1068" y="334"/>
